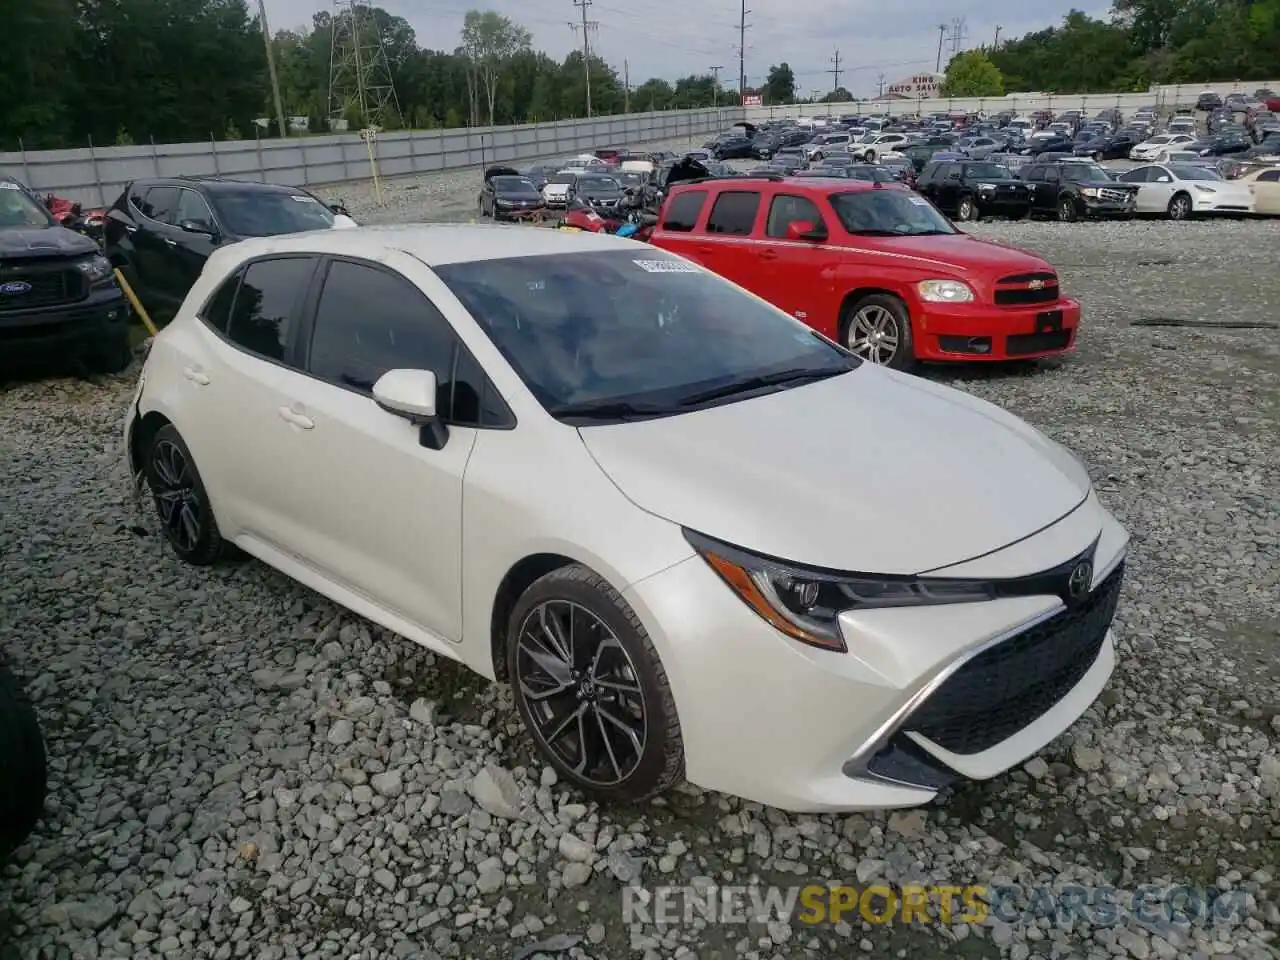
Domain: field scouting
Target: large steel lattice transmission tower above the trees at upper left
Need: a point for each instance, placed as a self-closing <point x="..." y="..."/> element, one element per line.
<point x="360" y="76"/>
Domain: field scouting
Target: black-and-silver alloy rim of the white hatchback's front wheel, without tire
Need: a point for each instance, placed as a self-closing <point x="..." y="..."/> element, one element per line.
<point x="583" y="692"/>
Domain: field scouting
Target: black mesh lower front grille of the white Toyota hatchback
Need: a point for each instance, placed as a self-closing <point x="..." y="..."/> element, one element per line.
<point x="1003" y="691"/>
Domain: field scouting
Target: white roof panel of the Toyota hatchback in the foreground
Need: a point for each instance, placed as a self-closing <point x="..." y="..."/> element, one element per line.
<point x="435" y="244"/>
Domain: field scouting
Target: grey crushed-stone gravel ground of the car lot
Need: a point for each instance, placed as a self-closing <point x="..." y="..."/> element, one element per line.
<point x="240" y="769"/>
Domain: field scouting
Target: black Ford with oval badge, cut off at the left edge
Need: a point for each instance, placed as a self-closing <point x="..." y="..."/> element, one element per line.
<point x="58" y="294"/>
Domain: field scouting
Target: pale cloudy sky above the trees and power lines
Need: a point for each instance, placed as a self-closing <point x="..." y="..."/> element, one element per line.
<point x="673" y="39"/>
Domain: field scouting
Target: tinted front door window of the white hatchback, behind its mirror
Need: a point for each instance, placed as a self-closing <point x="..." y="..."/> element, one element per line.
<point x="371" y="321"/>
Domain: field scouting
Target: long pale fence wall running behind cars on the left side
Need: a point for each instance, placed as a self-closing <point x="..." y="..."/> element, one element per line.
<point x="95" y="176"/>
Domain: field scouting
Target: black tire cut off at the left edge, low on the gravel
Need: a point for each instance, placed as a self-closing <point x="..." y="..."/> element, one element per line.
<point x="24" y="765"/>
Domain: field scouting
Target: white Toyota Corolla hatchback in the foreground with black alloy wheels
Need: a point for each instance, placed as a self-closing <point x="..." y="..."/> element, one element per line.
<point x="700" y="540"/>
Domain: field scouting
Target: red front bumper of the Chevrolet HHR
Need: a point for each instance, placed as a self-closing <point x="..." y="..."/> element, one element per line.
<point x="966" y="332"/>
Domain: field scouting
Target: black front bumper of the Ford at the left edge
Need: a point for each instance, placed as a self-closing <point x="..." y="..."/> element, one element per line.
<point x="65" y="328"/>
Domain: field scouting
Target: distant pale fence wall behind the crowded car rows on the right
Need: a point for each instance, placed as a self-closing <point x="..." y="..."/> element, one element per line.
<point x="1165" y="98"/>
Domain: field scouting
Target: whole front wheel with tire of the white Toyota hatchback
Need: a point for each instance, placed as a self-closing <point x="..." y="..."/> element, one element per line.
<point x="592" y="689"/>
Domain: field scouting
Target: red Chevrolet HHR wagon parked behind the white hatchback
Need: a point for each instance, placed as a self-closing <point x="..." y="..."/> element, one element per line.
<point x="874" y="268"/>
